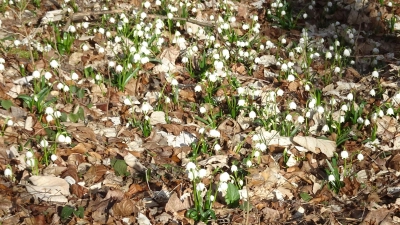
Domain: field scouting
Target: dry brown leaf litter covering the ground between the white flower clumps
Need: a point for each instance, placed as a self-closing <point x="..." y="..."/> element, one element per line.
<point x="120" y="176"/>
